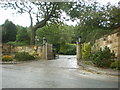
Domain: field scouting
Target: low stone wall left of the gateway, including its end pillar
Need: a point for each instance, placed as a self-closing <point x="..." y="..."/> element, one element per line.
<point x="45" y="52"/>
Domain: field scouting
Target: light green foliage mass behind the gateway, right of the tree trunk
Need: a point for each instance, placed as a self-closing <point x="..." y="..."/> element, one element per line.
<point x="56" y="33"/>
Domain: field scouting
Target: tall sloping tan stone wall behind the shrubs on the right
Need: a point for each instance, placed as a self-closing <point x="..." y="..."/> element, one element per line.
<point x="112" y="41"/>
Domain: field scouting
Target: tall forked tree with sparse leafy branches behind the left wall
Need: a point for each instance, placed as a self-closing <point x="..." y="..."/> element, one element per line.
<point x="44" y="11"/>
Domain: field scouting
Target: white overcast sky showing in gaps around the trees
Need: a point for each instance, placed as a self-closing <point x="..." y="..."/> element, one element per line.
<point x="24" y="20"/>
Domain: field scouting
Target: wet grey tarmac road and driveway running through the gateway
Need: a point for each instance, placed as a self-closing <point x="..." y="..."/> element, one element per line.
<point x="60" y="73"/>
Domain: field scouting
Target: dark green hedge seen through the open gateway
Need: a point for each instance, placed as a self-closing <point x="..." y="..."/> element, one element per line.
<point x="68" y="49"/>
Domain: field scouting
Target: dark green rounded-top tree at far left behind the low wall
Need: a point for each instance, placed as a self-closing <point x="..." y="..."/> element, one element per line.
<point x="9" y="31"/>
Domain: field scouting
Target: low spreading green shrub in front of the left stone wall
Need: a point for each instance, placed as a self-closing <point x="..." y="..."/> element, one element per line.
<point x="21" y="56"/>
